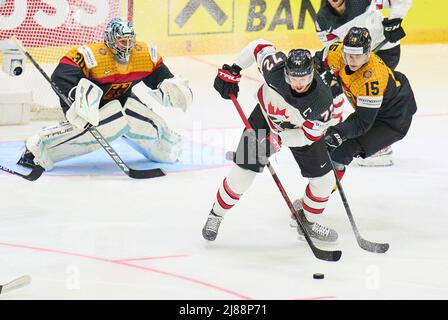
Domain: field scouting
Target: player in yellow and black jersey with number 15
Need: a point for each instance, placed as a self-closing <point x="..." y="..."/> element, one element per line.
<point x="383" y="100"/>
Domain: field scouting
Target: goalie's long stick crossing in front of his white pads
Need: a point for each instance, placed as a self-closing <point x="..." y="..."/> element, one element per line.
<point x="132" y="173"/>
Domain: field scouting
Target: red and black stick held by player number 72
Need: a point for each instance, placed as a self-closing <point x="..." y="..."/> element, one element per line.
<point x="318" y="253"/>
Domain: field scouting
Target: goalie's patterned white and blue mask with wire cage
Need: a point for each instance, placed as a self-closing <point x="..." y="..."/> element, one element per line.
<point x="120" y="39"/>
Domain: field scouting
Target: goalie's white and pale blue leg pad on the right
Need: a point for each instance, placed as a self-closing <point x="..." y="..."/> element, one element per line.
<point x="150" y="135"/>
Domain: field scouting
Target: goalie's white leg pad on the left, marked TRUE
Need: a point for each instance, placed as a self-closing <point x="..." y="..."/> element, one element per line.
<point x="63" y="141"/>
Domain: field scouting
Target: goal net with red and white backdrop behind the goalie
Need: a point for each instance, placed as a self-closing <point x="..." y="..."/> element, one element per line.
<point x="48" y="30"/>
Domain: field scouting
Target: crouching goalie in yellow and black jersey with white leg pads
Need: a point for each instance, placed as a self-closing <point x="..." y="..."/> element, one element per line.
<point x="114" y="66"/>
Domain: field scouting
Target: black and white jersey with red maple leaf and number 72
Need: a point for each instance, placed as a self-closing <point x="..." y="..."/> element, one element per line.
<point x="310" y="113"/>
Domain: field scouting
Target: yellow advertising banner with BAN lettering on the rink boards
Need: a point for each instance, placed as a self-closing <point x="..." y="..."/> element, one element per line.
<point x="184" y="27"/>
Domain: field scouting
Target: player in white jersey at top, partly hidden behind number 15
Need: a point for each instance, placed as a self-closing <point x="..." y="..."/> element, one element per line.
<point x="336" y="17"/>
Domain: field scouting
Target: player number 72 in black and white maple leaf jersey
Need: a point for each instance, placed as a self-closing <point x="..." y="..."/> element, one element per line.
<point x="294" y="109"/>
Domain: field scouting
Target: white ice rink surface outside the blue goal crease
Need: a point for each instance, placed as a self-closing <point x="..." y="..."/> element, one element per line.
<point x="115" y="238"/>
